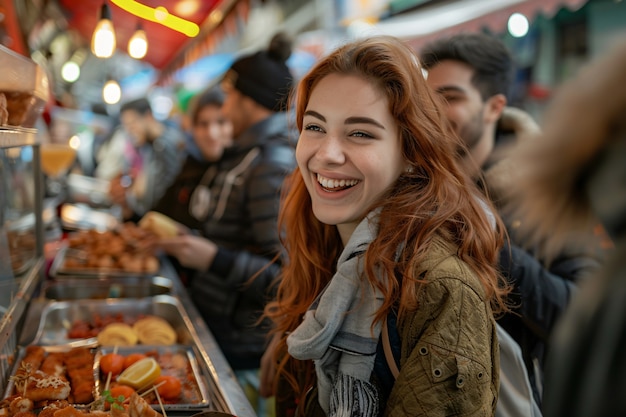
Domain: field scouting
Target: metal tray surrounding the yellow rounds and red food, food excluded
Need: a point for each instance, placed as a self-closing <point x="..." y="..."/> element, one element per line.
<point x="58" y="316"/>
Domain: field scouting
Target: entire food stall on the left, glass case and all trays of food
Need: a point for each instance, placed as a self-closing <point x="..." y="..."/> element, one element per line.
<point x="58" y="313"/>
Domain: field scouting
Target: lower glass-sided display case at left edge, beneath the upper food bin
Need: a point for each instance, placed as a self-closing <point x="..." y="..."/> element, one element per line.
<point x="21" y="241"/>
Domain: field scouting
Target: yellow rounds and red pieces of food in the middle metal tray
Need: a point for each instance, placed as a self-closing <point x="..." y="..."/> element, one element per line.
<point x="119" y="331"/>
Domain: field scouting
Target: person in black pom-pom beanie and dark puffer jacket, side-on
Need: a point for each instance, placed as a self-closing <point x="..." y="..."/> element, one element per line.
<point x="239" y="237"/>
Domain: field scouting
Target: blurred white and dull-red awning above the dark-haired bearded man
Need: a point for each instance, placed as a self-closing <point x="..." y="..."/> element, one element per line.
<point x="425" y="24"/>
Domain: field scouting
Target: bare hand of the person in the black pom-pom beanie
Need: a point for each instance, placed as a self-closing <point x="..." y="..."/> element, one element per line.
<point x="192" y="251"/>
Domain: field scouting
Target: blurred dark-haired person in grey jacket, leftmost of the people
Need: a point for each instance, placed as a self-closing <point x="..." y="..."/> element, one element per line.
<point x="154" y="152"/>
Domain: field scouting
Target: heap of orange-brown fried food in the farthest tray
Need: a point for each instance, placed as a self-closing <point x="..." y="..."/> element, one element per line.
<point x="125" y="249"/>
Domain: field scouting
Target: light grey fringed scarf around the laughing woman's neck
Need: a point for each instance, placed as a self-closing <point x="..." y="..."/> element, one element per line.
<point x="336" y="332"/>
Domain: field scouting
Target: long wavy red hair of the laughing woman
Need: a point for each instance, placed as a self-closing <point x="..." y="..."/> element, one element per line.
<point x="436" y="199"/>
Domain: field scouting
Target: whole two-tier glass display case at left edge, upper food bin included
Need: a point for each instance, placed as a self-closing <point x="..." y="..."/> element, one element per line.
<point x="23" y="93"/>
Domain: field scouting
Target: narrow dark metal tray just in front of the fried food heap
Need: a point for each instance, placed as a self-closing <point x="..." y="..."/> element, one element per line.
<point x="132" y="287"/>
